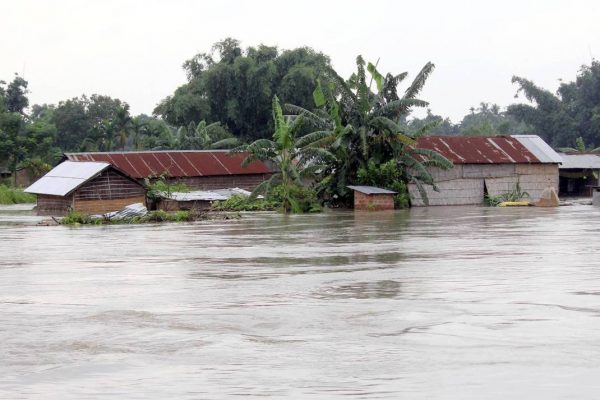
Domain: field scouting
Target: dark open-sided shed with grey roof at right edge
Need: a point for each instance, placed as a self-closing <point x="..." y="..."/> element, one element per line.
<point x="578" y="174"/>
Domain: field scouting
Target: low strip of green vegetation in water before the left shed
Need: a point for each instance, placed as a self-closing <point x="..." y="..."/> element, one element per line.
<point x="77" y="218"/>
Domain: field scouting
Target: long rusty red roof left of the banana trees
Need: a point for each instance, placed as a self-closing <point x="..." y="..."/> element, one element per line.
<point x="175" y="163"/>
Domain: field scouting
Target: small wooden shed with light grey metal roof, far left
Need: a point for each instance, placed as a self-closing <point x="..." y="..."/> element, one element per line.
<point x="87" y="187"/>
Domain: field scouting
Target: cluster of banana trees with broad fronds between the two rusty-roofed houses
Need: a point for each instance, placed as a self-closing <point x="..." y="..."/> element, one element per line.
<point x="359" y="125"/>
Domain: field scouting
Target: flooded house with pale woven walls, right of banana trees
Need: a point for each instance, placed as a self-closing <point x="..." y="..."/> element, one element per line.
<point x="488" y="165"/>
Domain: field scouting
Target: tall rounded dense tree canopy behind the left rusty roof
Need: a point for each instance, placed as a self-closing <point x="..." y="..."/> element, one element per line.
<point x="235" y="86"/>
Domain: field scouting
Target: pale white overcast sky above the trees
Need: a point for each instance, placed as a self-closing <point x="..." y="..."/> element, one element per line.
<point x="133" y="50"/>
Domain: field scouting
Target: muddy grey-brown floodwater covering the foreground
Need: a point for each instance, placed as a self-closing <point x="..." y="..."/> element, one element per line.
<point x="438" y="303"/>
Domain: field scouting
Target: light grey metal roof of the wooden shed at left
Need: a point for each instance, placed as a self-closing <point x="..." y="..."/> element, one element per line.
<point x="66" y="177"/>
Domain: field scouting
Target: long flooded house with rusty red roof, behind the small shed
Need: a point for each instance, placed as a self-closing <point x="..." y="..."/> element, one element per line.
<point x="198" y="169"/>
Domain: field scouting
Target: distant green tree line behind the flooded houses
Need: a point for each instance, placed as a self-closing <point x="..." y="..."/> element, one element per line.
<point x="227" y="101"/>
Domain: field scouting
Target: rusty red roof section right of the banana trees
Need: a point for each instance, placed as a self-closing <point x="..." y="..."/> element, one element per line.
<point x="479" y="149"/>
